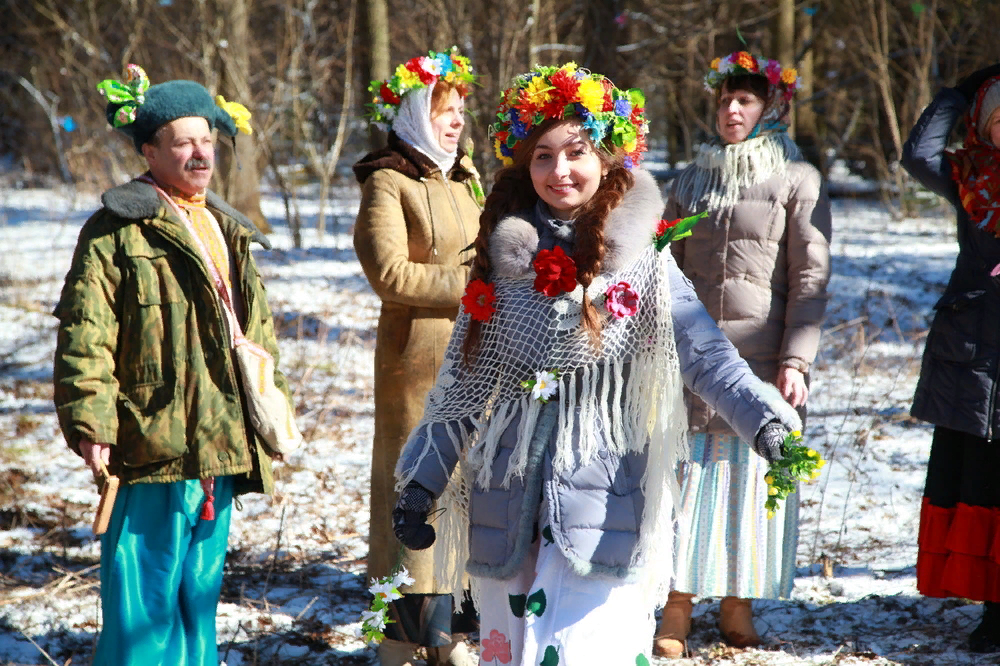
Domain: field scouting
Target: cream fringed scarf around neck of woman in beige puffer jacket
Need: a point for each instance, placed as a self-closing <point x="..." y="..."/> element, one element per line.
<point x="719" y="172"/>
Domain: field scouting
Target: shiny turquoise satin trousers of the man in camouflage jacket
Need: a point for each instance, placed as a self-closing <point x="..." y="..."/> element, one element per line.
<point x="161" y="573"/>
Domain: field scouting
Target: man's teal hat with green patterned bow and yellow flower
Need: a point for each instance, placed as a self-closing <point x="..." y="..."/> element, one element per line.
<point x="137" y="109"/>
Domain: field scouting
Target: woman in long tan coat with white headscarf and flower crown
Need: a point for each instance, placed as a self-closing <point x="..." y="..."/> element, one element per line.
<point x="418" y="218"/>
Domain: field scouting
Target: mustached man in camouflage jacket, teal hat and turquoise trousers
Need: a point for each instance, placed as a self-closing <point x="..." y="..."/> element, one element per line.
<point x="146" y="381"/>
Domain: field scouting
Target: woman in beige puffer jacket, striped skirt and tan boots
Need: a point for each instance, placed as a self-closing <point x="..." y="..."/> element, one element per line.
<point x="760" y="262"/>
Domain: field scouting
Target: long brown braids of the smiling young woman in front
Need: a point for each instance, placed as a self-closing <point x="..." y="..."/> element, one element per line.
<point x="513" y="191"/>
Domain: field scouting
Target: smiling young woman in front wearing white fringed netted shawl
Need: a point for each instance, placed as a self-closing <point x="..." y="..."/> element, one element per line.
<point x="553" y="431"/>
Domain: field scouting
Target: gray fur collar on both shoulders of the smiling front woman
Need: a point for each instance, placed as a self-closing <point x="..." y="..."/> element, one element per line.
<point x="628" y="231"/>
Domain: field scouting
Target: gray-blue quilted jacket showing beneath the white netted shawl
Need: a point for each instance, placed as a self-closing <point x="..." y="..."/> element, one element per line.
<point x="595" y="511"/>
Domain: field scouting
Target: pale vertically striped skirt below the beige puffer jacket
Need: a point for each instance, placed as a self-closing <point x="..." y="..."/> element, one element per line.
<point x="726" y="545"/>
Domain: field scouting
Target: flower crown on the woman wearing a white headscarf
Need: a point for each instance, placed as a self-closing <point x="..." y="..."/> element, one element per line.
<point x="420" y="72"/>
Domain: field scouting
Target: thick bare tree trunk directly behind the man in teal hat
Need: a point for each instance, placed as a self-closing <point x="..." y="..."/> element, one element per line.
<point x="237" y="174"/>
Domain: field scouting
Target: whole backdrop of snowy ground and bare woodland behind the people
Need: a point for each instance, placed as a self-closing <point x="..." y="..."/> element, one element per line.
<point x="295" y="570"/>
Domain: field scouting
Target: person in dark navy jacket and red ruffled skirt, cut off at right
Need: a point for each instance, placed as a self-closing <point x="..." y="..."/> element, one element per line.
<point x="959" y="541"/>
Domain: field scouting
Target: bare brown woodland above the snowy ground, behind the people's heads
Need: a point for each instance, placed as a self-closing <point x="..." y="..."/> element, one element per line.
<point x="868" y="67"/>
